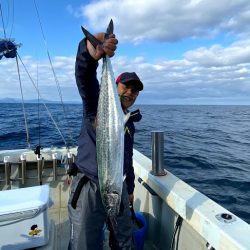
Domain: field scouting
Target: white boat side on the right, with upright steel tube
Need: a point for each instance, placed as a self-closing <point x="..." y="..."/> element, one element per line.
<point x="164" y="199"/>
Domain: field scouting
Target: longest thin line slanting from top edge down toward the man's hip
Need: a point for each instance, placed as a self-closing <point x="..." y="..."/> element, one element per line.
<point x="55" y="77"/>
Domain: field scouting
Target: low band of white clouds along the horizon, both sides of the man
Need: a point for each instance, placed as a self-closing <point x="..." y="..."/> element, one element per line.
<point x="213" y="73"/>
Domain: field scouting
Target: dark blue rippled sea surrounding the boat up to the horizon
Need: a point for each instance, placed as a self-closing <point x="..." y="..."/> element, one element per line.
<point x="206" y="146"/>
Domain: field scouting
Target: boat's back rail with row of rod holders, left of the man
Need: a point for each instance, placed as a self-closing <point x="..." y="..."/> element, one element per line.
<point x="14" y="166"/>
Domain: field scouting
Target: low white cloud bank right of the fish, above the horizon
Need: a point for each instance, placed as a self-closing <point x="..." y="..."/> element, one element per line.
<point x="196" y="78"/>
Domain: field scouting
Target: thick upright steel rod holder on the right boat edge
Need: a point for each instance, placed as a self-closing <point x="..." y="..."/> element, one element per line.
<point x="158" y="153"/>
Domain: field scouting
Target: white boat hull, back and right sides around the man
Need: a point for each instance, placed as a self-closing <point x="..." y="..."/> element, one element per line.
<point x="161" y="200"/>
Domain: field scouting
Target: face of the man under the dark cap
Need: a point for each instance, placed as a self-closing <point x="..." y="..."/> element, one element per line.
<point x="128" y="94"/>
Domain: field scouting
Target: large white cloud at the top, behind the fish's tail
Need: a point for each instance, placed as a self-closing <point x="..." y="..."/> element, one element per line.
<point x="137" y="20"/>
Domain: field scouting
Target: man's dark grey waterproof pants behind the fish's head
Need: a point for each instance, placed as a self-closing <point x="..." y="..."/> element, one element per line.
<point x="88" y="218"/>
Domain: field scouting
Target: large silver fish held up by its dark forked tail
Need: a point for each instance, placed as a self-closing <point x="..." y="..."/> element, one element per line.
<point x="109" y="135"/>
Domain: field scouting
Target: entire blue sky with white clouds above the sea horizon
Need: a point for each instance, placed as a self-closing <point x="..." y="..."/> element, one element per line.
<point x="185" y="51"/>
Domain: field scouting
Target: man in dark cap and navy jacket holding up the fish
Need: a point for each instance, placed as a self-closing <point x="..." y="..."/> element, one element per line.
<point x="86" y="211"/>
